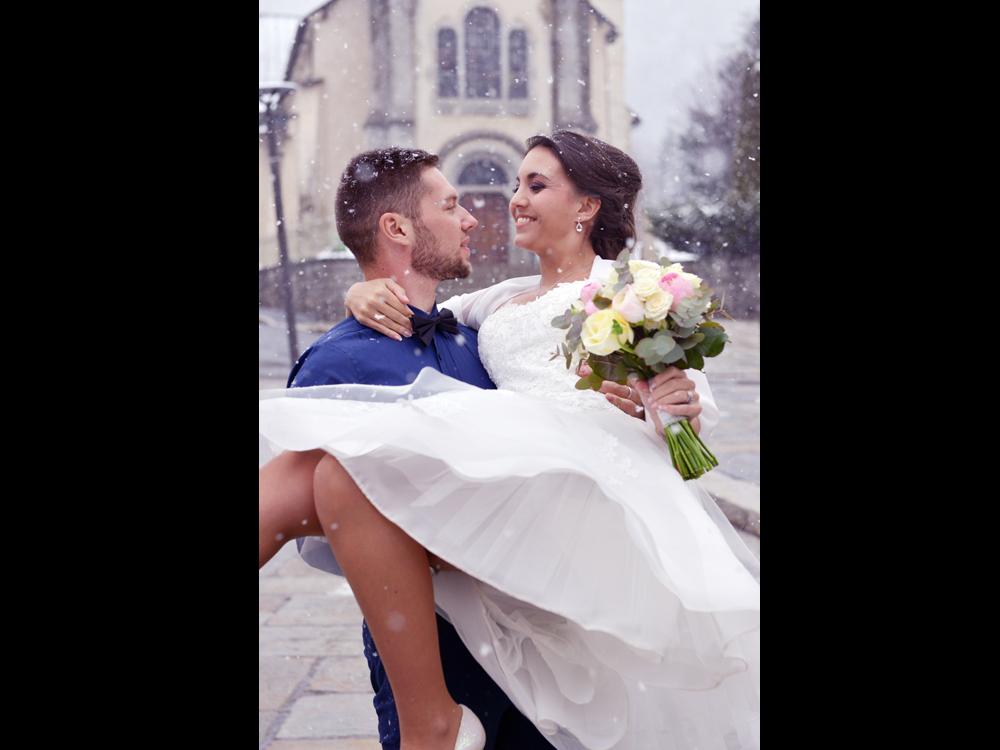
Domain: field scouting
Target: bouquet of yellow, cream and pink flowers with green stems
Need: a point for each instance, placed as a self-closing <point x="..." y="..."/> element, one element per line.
<point x="648" y="317"/>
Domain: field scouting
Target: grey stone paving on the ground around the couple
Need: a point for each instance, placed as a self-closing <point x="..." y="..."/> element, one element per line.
<point x="313" y="688"/>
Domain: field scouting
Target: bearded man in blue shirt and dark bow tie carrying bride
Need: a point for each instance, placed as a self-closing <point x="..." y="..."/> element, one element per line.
<point x="402" y="220"/>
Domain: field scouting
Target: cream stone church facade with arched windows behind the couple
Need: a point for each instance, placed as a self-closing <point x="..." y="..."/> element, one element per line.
<point x="469" y="81"/>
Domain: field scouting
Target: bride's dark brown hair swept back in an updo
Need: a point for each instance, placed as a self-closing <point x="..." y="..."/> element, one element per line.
<point x="601" y="171"/>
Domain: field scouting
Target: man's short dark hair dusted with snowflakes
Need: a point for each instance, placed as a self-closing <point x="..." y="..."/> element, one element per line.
<point x="375" y="183"/>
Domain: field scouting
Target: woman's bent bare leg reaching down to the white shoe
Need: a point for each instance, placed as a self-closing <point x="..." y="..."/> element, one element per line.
<point x="390" y="575"/>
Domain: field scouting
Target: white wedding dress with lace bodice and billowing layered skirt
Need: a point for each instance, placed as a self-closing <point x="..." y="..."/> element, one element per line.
<point x="612" y="601"/>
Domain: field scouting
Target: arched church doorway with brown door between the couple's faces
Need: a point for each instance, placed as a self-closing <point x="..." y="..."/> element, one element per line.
<point x="482" y="187"/>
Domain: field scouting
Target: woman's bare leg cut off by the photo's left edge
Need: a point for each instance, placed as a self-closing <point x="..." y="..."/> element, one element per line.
<point x="286" y="509"/>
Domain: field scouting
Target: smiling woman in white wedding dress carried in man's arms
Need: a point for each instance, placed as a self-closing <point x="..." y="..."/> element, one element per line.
<point x="611" y="601"/>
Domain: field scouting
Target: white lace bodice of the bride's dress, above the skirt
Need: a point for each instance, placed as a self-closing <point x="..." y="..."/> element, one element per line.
<point x="517" y="342"/>
